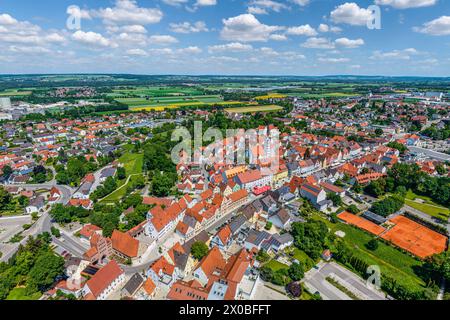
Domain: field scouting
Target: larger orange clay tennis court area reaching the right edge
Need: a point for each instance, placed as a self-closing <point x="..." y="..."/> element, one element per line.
<point x="415" y="238"/>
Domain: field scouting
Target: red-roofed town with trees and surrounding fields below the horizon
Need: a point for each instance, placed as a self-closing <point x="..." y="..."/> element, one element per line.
<point x="92" y="207"/>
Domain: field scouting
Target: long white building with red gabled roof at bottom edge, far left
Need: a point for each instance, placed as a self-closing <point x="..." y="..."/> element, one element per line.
<point x="104" y="282"/>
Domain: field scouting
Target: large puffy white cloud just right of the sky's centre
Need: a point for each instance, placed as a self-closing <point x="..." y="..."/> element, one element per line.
<point x="246" y="28"/>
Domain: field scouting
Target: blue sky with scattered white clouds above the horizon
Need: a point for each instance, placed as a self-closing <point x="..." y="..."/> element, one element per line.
<point x="226" y="37"/>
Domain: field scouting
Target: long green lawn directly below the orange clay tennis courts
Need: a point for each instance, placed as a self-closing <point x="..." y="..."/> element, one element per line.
<point x="392" y="261"/>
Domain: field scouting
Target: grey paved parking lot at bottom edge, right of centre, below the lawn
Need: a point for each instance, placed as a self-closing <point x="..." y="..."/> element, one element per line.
<point x="316" y="281"/>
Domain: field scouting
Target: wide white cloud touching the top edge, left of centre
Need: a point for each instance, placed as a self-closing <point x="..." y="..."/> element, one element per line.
<point x="128" y="12"/>
